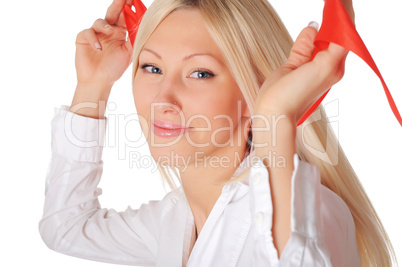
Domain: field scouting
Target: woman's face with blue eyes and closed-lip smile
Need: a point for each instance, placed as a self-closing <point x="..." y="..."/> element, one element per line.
<point x="185" y="95"/>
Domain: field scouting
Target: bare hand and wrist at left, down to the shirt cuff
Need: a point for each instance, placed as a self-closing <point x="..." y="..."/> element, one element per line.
<point x="102" y="56"/>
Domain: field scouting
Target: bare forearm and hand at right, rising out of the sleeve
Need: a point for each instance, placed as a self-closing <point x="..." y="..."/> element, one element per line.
<point x="287" y="94"/>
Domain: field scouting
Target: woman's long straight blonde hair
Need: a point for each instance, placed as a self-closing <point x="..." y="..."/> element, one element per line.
<point x="254" y="42"/>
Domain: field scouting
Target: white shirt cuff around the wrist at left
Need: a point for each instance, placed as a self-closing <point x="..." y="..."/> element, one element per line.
<point x="77" y="137"/>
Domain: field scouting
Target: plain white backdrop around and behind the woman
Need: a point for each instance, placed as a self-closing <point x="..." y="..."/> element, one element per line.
<point x="37" y="74"/>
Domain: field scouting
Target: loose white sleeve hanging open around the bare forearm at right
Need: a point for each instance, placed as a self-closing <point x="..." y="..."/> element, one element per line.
<point x="322" y="227"/>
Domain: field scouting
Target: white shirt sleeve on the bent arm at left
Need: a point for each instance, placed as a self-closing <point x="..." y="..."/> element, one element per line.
<point x="73" y="222"/>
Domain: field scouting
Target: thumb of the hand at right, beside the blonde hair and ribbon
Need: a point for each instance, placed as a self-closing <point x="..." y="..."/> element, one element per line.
<point x="302" y="49"/>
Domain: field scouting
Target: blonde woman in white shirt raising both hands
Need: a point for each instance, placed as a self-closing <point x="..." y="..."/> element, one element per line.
<point x="201" y="71"/>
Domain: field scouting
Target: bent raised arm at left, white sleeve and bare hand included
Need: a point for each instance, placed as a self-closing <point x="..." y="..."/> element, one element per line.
<point x="73" y="221"/>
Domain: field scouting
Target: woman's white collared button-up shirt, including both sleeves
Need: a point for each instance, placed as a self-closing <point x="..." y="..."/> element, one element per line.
<point x="237" y="231"/>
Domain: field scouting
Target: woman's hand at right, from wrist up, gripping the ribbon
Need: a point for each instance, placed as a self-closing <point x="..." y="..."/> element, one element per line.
<point x="297" y="84"/>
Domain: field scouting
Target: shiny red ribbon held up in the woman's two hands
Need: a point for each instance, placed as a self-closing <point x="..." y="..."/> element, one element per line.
<point x="337" y="27"/>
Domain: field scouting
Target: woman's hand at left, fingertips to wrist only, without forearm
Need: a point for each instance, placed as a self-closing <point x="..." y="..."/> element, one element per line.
<point x="102" y="51"/>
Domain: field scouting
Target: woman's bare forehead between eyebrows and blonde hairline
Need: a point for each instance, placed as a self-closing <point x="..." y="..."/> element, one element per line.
<point x="183" y="32"/>
